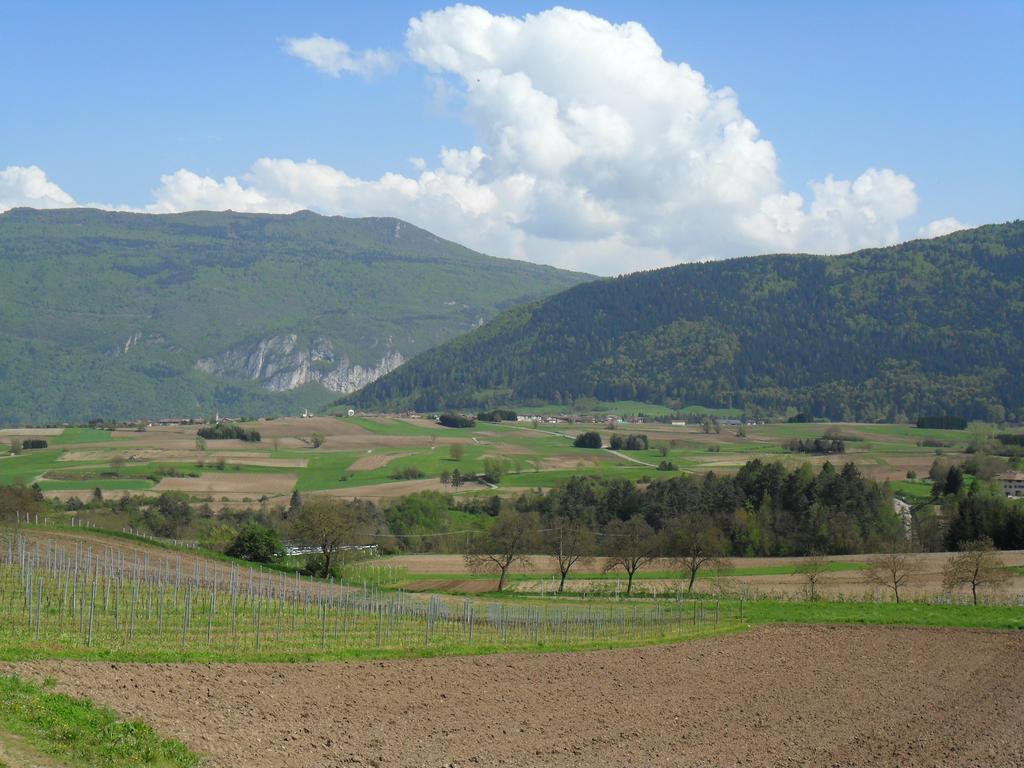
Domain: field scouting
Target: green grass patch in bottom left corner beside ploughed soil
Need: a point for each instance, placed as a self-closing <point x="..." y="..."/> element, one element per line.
<point x="81" y="735"/>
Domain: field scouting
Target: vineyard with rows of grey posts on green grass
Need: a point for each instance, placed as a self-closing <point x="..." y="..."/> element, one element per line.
<point x="78" y="599"/>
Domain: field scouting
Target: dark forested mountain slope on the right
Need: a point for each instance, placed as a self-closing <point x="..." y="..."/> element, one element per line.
<point x="927" y="327"/>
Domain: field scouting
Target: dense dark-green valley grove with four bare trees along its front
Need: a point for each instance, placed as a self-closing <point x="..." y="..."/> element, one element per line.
<point x="696" y="522"/>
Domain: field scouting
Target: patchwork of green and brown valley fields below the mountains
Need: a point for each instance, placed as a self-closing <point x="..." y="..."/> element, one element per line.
<point x="366" y="457"/>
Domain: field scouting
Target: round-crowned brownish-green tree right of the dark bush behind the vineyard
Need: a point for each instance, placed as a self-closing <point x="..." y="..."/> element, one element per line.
<point x="329" y="525"/>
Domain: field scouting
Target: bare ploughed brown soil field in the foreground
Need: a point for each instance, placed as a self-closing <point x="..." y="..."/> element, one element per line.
<point x="774" y="697"/>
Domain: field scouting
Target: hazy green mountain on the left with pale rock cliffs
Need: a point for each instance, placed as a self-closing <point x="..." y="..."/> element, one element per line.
<point x="121" y="316"/>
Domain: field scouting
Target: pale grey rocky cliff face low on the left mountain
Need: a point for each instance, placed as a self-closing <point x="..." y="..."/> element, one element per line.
<point x="286" y="362"/>
